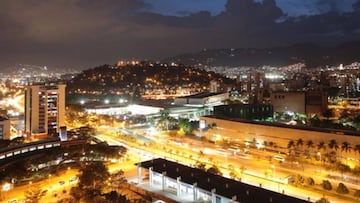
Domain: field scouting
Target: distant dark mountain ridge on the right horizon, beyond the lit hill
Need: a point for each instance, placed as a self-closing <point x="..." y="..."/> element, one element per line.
<point x="311" y="54"/>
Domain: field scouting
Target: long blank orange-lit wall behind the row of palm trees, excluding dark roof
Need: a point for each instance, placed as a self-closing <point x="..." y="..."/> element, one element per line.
<point x="242" y="132"/>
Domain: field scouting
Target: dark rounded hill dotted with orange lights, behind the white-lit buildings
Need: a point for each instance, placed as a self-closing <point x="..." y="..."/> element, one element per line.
<point x="144" y="75"/>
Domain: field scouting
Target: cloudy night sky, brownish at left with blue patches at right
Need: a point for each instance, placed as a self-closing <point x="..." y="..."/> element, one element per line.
<point x="87" y="33"/>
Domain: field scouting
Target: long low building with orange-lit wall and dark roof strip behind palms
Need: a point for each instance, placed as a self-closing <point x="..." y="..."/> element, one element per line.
<point x="261" y="134"/>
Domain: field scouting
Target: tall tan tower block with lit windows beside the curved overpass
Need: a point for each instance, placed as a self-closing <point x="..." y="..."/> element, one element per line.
<point x="44" y="108"/>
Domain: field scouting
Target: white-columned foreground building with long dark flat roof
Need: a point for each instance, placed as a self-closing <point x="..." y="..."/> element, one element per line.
<point x="199" y="185"/>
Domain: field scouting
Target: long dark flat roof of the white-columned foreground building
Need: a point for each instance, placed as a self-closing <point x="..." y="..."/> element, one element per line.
<point x="225" y="187"/>
